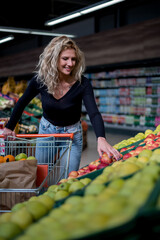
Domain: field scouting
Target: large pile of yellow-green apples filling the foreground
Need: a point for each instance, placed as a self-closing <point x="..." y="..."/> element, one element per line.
<point x="107" y="202"/>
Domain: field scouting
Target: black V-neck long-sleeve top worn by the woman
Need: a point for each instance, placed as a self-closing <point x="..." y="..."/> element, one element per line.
<point x="64" y="111"/>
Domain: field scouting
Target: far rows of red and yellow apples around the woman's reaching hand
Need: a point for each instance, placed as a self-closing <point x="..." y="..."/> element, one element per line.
<point x="128" y="148"/>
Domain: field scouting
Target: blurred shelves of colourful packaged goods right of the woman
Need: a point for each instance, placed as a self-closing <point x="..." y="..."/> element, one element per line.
<point x="128" y="98"/>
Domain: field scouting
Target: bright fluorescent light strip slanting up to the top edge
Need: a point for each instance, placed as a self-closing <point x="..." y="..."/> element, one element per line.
<point x="80" y="12"/>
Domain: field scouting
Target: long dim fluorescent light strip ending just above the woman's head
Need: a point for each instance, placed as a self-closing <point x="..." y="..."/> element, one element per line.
<point x="32" y="31"/>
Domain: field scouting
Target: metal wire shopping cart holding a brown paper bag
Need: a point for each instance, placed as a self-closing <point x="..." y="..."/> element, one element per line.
<point x="52" y="152"/>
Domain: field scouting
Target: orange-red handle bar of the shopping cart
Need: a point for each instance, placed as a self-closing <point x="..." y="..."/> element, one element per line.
<point x="63" y="135"/>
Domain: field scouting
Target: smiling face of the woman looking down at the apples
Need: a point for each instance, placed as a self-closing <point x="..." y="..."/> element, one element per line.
<point x="67" y="61"/>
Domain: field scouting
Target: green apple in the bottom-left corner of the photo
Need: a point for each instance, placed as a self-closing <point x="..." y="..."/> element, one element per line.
<point x="9" y="230"/>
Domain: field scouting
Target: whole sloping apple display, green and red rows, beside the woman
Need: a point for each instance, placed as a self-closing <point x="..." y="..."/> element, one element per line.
<point x="107" y="199"/>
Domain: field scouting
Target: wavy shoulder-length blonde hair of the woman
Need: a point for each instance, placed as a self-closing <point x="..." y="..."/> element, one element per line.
<point x="47" y="72"/>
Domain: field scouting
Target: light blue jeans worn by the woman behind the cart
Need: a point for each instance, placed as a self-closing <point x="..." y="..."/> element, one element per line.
<point x="46" y="127"/>
